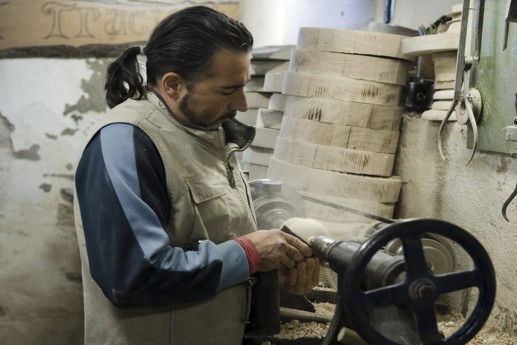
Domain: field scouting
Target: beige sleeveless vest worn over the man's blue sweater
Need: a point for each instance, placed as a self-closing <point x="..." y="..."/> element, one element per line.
<point x="200" y="168"/>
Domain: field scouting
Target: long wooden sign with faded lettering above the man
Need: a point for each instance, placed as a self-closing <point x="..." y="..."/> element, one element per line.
<point x="35" y="23"/>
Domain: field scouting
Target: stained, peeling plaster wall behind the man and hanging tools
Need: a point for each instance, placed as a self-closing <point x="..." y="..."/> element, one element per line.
<point x="46" y="106"/>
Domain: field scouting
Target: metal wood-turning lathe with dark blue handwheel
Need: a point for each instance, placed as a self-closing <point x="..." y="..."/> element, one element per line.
<point x="388" y="286"/>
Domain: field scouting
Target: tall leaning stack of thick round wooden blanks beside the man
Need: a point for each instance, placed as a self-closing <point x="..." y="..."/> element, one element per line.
<point x="340" y="128"/>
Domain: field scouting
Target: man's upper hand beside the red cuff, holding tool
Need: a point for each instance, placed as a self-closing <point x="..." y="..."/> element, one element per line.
<point x="278" y="250"/>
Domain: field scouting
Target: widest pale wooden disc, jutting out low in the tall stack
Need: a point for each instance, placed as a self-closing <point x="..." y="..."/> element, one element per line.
<point x="311" y="180"/>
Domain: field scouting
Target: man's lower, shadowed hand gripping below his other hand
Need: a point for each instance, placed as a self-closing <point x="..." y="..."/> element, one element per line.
<point x="301" y="279"/>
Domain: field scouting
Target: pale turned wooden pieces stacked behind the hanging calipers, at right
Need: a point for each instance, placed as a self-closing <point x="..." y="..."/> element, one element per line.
<point x="444" y="55"/>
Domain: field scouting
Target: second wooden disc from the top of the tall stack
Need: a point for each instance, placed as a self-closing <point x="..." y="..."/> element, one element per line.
<point x="363" y="67"/>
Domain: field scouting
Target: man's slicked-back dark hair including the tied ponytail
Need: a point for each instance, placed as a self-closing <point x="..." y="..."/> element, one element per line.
<point x="185" y="43"/>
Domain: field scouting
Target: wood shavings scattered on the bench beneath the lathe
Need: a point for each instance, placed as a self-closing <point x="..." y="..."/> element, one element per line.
<point x="447" y="323"/>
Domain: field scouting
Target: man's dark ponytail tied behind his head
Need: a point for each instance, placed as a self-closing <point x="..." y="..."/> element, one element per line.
<point x="123" y="78"/>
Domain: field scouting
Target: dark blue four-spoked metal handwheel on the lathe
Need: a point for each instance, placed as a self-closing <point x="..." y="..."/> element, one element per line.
<point x="420" y="288"/>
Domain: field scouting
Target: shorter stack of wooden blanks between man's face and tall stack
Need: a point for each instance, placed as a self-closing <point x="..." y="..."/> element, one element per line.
<point x="267" y="67"/>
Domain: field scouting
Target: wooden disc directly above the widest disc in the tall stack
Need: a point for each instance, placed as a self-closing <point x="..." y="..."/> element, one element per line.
<point x="333" y="158"/>
